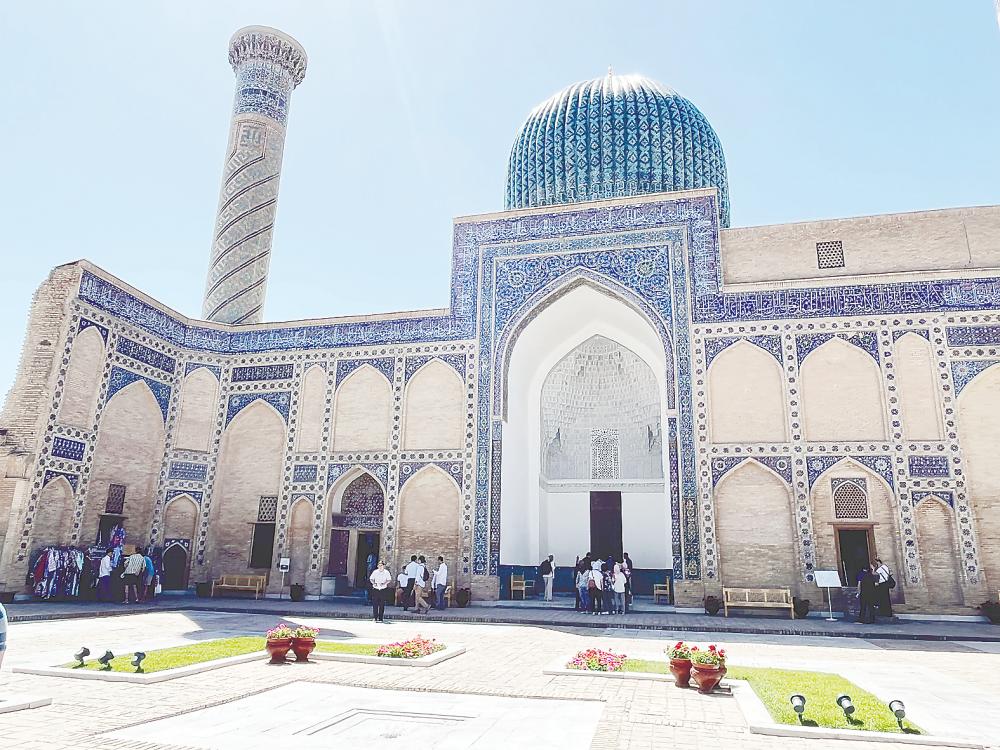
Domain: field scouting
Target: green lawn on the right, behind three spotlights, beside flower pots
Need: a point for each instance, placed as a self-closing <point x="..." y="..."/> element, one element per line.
<point x="774" y="686"/>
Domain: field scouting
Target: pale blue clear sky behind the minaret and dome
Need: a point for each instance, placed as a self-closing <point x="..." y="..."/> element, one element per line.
<point x="114" y="124"/>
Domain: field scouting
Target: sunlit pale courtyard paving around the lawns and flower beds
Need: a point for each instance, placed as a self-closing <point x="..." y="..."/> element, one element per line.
<point x="951" y="688"/>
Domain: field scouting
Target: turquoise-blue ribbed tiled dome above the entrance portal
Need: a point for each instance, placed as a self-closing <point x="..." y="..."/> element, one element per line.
<point x="611" y="137"/>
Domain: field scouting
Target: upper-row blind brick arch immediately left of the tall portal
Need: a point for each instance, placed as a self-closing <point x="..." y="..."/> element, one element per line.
<point x="434" y="408"/>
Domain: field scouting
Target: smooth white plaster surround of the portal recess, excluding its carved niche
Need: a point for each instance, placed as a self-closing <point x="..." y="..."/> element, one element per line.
<point x="564" y="321"/>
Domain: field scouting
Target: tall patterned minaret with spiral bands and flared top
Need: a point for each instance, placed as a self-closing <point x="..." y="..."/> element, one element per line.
<point x="268" y="65"/>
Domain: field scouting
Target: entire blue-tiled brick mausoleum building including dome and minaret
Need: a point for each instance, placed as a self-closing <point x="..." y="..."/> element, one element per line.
<point x="616" y="367"/>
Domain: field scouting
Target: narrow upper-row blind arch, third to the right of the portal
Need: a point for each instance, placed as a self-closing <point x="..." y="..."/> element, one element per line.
<point x="919" y="392"/>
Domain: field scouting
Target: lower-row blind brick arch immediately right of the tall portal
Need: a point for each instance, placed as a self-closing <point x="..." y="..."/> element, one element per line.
<point x="752" y="553"/>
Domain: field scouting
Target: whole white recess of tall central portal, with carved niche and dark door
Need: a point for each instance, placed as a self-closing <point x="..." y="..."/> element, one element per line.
<point x="584" y="446"/>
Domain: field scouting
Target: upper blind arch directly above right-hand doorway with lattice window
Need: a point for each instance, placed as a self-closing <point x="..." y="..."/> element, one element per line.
<point x="842" y="397"/>
